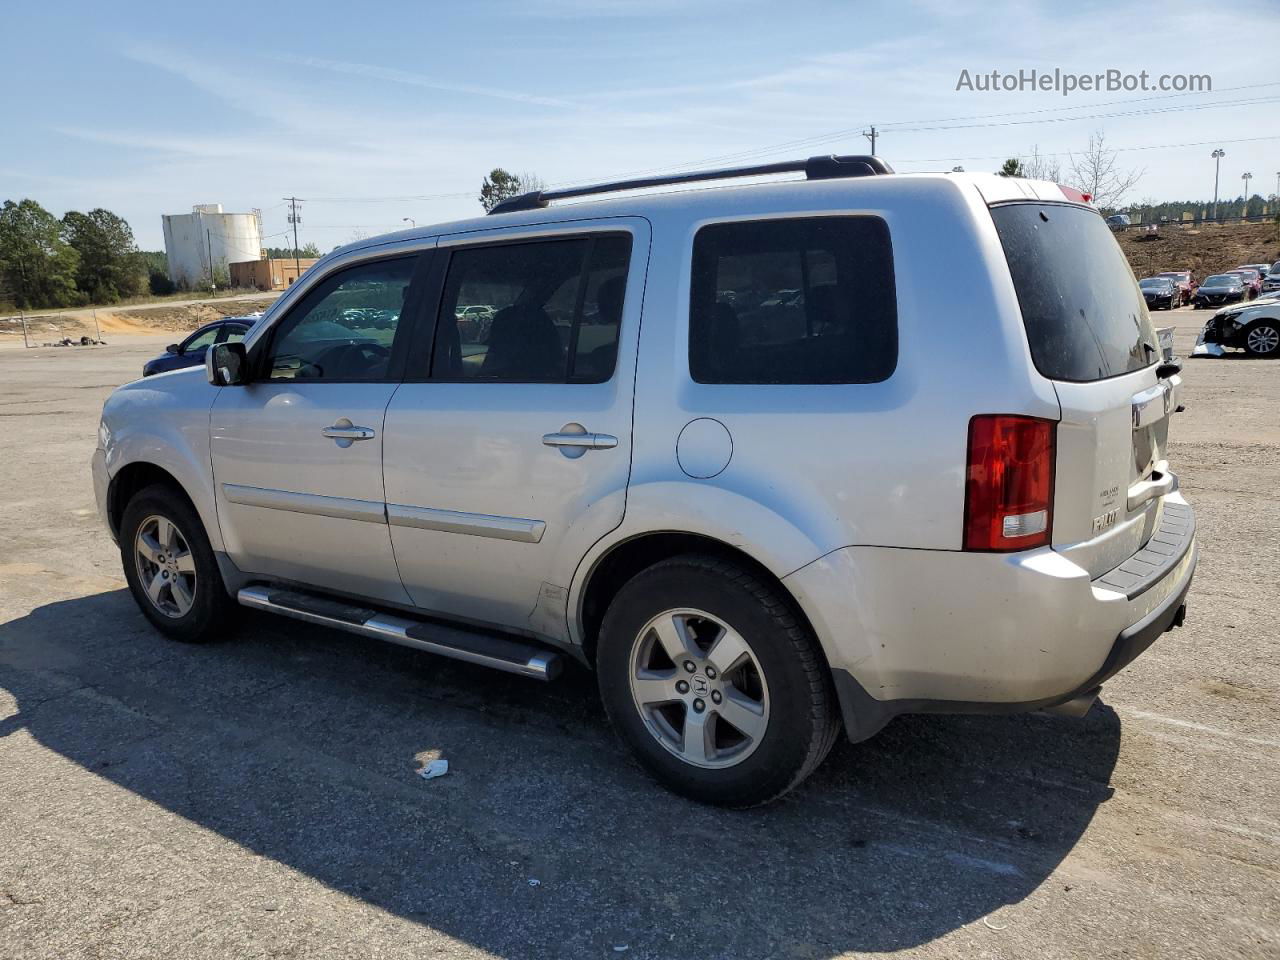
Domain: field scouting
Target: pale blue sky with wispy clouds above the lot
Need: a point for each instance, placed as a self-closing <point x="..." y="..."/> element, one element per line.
<point x="380" y="112"/>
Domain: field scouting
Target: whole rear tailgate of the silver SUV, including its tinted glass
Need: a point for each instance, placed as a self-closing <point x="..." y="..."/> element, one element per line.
<point x="1091" y="336"/>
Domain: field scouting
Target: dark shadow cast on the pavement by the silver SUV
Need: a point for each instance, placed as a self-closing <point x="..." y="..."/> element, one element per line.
<point x="303" y="746"/>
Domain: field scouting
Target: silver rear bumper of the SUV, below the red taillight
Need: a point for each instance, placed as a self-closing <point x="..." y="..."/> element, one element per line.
<point x="925" y="632"/>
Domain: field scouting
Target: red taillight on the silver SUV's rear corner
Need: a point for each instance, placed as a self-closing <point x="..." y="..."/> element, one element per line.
<point x="1009" y="483"/>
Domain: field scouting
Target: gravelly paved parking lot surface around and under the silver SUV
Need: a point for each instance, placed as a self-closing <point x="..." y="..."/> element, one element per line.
<point x="259" y="797"/>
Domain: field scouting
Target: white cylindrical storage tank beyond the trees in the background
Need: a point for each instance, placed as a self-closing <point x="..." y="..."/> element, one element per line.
<point x="202" y="245"/>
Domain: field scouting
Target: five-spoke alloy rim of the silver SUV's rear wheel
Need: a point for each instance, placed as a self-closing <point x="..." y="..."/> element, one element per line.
<point x="700" y="688"/>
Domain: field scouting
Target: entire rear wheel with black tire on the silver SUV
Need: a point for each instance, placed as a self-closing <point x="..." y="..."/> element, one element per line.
<point x="776" y="684"/>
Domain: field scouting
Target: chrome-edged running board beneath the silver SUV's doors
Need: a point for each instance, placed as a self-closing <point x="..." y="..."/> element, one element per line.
<point x="486" y="650"/>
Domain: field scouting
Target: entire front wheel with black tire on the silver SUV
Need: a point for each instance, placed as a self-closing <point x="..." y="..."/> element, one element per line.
<point x="171" y="568"/>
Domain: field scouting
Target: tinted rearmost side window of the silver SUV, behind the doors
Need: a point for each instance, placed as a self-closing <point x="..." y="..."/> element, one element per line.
<point x="802" y="301"/>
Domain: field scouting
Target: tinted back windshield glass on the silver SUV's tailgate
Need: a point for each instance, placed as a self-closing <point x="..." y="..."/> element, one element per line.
<point x="1085" y="317"/>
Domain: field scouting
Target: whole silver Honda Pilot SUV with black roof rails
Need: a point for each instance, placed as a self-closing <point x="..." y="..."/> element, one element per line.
<point x="772" y="459"/>
